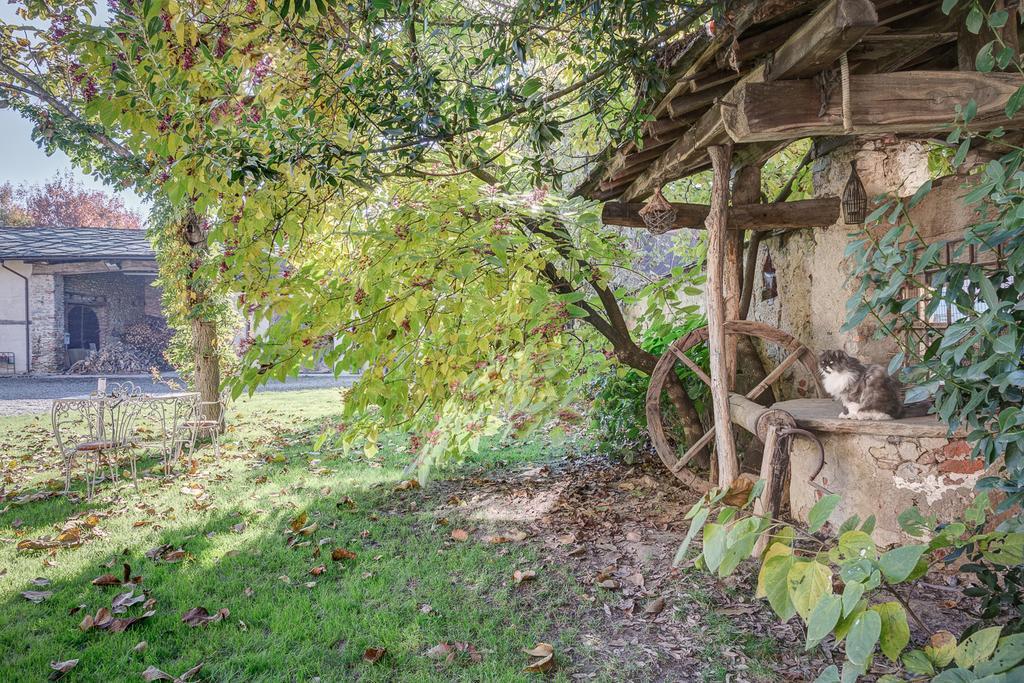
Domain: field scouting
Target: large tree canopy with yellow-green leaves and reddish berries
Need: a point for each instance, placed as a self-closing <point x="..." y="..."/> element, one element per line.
<point x="382" y="185"/>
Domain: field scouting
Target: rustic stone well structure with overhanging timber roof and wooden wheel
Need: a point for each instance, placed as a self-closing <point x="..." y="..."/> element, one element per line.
<point x="875" y="83"/>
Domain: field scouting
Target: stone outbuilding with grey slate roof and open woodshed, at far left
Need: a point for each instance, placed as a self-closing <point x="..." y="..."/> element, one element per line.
<point x="67" y="292"/>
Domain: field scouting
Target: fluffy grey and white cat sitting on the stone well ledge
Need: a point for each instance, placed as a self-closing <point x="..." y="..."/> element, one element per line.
<point x="868" y="393"/>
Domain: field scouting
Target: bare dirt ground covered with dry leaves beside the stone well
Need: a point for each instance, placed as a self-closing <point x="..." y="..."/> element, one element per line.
<point x="616" y="530"/>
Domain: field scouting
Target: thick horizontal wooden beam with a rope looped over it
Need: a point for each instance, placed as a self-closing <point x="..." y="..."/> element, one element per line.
<point x="921" y="102"/>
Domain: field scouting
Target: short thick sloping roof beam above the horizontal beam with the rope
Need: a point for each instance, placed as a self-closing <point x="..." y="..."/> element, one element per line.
<point x="819" y="44"/>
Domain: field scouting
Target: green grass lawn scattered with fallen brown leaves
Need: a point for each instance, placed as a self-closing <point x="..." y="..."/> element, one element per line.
<point x="410" y="587"/>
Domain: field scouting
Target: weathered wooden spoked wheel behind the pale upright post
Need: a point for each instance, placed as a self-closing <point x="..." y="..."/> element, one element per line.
<point x="677" y="353"/>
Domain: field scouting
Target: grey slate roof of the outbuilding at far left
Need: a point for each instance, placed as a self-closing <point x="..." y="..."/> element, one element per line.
<point x="74" y="244"/>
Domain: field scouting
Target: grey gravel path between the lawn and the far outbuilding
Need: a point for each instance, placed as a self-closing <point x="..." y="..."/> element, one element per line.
<point x="20" y="396"/>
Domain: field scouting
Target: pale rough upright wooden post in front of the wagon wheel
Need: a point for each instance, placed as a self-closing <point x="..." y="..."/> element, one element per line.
<point x="729" y="465"/>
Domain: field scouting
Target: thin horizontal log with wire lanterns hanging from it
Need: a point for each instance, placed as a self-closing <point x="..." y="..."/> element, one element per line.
<point x="781" y="217"/>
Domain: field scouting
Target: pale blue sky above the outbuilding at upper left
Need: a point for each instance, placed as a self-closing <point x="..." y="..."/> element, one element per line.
<point x="22" y="161"/>
